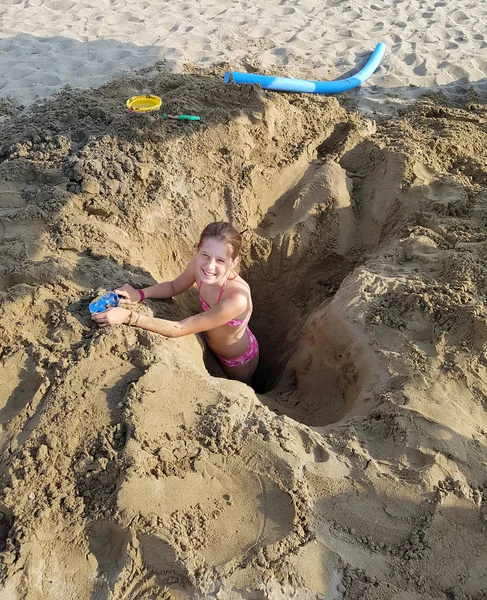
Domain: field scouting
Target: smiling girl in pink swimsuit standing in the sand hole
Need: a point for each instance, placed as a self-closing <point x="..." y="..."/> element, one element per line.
<point x="224" y="296"/>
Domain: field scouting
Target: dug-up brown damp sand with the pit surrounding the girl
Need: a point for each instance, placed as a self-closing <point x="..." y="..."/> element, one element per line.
<point x="131" y="469"/>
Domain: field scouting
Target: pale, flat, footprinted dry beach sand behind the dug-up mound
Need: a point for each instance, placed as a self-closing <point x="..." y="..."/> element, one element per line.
<point x="48" y="44"/>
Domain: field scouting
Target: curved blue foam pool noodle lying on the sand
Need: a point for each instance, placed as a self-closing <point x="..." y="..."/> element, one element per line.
<point x="285" y="84"/>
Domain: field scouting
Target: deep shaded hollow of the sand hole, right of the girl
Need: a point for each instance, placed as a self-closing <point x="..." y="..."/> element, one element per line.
<point x="309" y="352"/>
